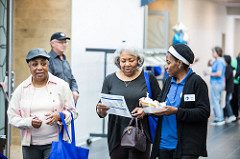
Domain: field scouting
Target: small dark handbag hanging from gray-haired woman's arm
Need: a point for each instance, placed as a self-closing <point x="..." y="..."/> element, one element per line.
<point x="133" y="136"/>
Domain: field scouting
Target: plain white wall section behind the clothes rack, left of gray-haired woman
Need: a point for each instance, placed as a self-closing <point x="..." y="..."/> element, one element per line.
<point x="99" y="24"/>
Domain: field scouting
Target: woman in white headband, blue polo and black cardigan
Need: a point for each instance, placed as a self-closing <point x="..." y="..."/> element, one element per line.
<point x="183" y="122"/>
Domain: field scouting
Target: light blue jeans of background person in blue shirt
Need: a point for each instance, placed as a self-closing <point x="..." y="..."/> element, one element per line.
<point x="216" y="91"/>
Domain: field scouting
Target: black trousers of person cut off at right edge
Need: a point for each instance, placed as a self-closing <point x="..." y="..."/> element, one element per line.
<point x="235" y="103"/>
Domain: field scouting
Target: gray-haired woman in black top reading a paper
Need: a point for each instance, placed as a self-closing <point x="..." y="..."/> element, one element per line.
<point x="129" y="82"/>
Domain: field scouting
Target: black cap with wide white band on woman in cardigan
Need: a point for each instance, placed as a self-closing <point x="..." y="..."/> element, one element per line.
<point x="182" y="52"/>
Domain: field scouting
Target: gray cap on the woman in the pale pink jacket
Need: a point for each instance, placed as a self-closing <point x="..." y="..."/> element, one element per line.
<point x="37" y="52"/>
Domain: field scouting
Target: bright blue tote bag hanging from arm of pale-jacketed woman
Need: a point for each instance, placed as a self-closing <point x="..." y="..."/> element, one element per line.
<point x="64" y="150"/>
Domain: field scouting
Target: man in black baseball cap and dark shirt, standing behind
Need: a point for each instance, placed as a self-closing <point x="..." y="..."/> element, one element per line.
<point x="58" y="64"/>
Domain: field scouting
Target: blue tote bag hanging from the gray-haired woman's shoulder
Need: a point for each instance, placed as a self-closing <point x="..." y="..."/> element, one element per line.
<point x="152" y="121"/>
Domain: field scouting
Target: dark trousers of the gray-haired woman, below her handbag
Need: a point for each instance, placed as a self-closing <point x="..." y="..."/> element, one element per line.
<point x="124" y="153"/>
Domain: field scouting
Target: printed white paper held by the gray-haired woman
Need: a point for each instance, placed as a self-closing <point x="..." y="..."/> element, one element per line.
<point x="116" y="103"/>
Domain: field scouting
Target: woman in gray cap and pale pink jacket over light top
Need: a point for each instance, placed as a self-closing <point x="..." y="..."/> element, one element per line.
<point x="35" y="105"/>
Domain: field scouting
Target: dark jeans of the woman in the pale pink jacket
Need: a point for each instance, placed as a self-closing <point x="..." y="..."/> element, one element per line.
<point x="36" y="151"/>
